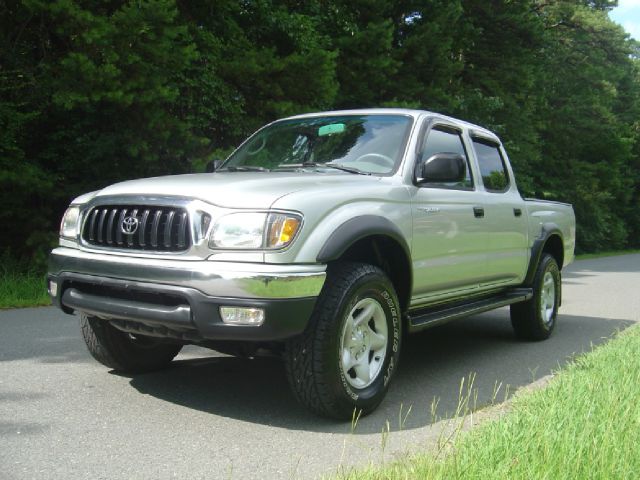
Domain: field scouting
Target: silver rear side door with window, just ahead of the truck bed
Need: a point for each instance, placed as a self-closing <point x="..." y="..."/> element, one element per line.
<point x="505" y="216"/>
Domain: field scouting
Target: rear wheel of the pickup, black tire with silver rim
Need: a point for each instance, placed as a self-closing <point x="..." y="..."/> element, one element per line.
<point x="536" y="318"/>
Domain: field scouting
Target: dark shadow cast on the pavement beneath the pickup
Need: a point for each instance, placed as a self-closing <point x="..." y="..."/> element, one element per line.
<point x="432" y="366"/>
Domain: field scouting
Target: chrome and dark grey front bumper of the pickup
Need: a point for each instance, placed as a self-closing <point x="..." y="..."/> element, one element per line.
<point x="182" y="299"/>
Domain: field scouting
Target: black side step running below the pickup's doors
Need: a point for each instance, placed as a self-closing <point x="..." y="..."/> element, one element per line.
<point x="421" y="319"/>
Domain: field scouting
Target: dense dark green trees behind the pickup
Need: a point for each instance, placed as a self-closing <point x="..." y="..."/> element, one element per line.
<point x="95" y="92"/>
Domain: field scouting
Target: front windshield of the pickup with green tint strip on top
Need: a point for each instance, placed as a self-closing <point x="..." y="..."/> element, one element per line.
<point x="369" y="144"/>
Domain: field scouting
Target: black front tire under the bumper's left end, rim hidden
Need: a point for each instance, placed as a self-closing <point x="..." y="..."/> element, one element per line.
<point x="123" y="352"/>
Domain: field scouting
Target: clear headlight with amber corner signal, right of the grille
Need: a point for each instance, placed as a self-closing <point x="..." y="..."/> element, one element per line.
<point x="253" y="231"/>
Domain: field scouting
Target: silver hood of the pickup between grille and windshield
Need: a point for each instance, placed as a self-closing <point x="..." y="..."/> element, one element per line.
<point x="237" y="189"/>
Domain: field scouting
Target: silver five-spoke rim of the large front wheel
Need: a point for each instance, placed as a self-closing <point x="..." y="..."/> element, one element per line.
<point x="363" y="346"/>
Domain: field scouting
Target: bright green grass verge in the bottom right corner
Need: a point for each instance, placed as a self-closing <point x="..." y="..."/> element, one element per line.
<point x="584" y="424"/>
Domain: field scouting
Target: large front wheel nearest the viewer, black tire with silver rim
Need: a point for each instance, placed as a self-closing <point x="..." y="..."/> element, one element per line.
<point x="342" y="364"/>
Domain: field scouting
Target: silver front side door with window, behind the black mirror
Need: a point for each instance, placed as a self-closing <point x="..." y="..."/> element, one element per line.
<point x="449" y="241"/>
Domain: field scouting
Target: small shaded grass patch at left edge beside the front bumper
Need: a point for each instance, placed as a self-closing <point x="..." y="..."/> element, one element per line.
<point x="22" y="288"/>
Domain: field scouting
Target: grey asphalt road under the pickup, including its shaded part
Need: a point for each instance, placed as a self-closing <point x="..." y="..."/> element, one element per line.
<point x="62" y="415"/>
